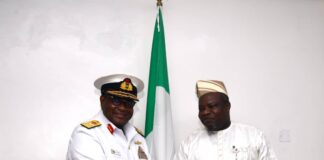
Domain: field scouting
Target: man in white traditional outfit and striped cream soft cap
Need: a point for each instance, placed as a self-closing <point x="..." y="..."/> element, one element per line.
<point x="221" y="139"/>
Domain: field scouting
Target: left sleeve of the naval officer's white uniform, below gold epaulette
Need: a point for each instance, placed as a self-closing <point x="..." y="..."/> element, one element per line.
<point x="84" y="146"/>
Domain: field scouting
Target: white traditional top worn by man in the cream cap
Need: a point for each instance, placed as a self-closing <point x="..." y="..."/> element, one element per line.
<point x="238" y="142"/>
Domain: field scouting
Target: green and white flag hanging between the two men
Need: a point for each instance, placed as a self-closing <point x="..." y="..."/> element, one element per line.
<point x="158" y="125"/>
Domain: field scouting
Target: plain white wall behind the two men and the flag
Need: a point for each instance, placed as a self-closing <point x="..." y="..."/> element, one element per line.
<point x="270" y="55"/>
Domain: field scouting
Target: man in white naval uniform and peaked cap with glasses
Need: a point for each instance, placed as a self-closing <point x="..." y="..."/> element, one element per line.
<point x="108" y="135"/>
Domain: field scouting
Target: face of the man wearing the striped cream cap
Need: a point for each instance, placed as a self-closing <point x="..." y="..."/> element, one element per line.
<point x="214" y="112"/>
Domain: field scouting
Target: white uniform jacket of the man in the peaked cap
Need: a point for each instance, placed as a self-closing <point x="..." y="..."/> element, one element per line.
<point x="99" y="144"/>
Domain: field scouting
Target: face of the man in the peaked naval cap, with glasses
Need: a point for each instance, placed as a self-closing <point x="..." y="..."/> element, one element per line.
<point x="118" y="110"/>
